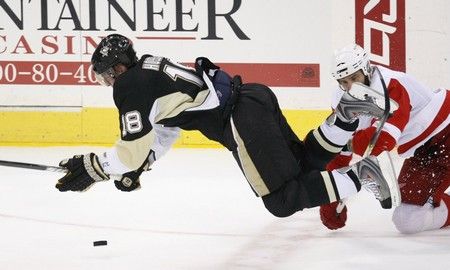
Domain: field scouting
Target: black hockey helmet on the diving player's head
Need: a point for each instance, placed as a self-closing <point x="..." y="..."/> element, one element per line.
<point x="112" y="50"/>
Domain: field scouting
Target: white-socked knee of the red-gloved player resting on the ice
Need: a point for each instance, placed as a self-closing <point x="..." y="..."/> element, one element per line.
<point x="409" y="218"/>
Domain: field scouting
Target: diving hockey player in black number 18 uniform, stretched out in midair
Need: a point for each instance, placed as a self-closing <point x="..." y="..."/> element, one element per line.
<point x="157" y="97"/>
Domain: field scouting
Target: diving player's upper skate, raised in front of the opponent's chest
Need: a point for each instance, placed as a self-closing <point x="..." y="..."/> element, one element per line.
<point x="363" y="100"/>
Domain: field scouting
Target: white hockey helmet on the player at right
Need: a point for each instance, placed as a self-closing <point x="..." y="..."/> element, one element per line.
<point x="349" y="60"/>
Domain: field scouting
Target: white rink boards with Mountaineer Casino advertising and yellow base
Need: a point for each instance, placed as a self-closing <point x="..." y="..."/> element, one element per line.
<point x="48" y="94"/>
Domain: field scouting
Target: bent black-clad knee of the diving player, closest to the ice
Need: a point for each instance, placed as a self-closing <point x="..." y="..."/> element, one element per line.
<point x="285" y="201"/>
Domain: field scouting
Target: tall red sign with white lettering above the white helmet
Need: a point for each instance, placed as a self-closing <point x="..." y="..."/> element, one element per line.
<point x="380" y="29"/>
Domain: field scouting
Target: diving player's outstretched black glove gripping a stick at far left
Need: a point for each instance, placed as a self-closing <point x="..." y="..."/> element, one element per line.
<point x="83" y="172"/>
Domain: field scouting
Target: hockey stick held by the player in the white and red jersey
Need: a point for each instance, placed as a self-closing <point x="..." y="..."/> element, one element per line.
<point x="380" y="124"/>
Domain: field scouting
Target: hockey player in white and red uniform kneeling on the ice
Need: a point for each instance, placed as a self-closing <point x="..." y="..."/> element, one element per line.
<point x="418" y="129"/>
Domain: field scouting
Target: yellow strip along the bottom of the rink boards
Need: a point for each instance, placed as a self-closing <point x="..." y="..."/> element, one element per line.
<point x="100" y="126"/>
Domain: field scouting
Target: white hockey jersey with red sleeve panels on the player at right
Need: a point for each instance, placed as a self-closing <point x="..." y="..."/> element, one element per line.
<point x="421" y="114"/>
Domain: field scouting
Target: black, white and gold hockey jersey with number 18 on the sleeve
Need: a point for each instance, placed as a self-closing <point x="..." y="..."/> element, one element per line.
<point x="156" y="98"/>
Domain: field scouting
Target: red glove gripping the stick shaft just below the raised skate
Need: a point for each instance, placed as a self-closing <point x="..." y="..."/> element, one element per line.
<point x="362" y="138"/>
